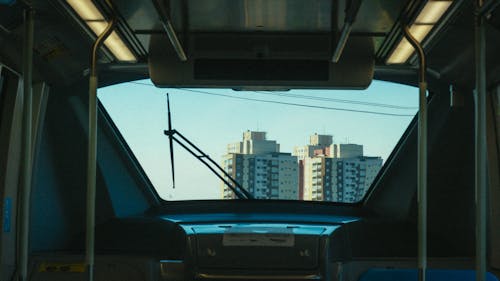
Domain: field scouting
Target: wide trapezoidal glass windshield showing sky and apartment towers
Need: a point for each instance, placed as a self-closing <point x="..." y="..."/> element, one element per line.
<point x="320" y="145"/>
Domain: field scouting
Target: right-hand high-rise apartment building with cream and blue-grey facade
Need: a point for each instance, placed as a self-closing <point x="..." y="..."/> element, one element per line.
<point x="334" y="172"/>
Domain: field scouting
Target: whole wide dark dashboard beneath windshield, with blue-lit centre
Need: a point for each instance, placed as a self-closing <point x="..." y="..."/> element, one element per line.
<point x="257" y="240"/>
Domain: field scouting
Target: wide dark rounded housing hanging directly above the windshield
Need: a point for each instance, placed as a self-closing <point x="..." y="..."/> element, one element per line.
<point x="261" y="61"/>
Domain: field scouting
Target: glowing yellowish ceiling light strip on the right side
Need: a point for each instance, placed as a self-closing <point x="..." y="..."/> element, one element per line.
<point x="425" y="21"/>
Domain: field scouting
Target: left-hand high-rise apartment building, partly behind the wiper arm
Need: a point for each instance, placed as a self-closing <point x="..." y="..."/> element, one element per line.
<point x="259" y="168"/>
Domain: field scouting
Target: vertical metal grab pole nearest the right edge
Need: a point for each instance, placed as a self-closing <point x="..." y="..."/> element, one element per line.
<point x="480" y="144"/>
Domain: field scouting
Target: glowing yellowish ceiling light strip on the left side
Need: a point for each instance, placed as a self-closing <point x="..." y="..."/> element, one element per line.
<point x="95" y="20"/>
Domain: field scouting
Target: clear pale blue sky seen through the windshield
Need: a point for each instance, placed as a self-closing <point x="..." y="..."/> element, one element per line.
<point x="212" y="121"/>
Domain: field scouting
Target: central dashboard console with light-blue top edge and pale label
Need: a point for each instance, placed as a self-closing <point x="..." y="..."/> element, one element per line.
<point x="257" y="250"/>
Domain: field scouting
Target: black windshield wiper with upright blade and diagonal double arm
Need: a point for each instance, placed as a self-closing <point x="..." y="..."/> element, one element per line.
<point x="202" y="157"/>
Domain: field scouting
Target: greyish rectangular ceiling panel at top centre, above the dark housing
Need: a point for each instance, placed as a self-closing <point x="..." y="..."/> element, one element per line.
<point x="259" y="15"/>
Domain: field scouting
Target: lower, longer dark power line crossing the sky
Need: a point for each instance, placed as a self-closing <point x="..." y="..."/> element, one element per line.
<point x="287" y="103"/>
